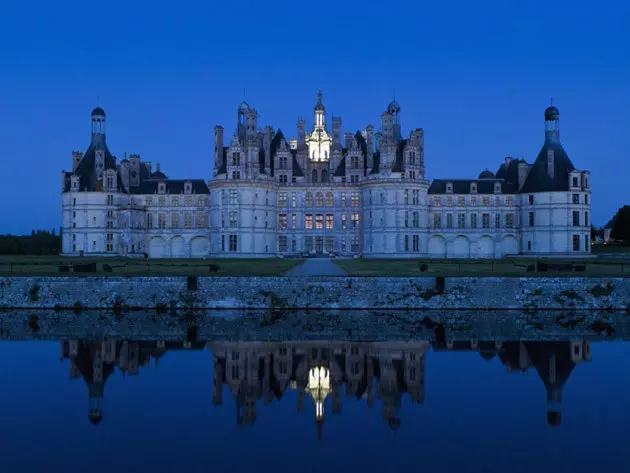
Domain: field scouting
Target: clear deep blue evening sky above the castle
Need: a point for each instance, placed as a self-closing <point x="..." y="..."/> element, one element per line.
<point x="475" y="76"/>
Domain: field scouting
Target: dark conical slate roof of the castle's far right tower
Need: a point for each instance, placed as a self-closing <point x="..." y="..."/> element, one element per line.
<point x="538" y="179"/>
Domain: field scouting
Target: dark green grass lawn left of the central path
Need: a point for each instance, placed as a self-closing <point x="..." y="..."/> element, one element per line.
<point x="49" y="266"/>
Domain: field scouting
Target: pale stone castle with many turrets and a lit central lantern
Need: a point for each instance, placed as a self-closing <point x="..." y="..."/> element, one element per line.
<point x="360" y="194"/>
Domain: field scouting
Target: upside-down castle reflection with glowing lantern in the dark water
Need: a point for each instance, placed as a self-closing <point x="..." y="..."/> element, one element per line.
<point x="255" y="371"/>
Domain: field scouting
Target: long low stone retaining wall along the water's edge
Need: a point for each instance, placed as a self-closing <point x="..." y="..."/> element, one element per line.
<point x="164" y="293"/>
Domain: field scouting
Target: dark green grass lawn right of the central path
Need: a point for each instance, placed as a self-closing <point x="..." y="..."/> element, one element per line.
<point x="453" y="267"/>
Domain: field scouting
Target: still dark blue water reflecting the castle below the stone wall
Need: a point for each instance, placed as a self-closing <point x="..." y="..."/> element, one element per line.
<point x="388" y="406"/>
